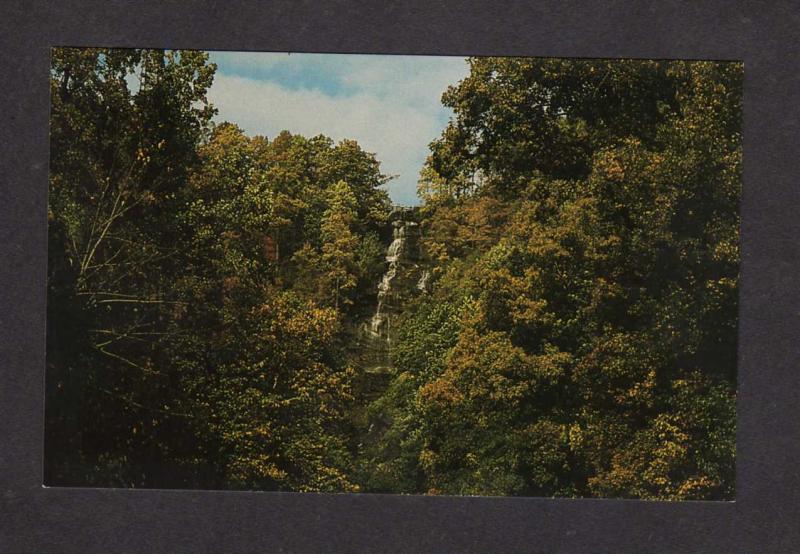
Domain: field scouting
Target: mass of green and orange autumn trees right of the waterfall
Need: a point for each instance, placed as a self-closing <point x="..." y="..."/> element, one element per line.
<point x="581" y="338"/>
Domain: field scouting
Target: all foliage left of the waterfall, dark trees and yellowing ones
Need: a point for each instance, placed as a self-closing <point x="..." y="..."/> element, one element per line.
<point x="198" y="284"/>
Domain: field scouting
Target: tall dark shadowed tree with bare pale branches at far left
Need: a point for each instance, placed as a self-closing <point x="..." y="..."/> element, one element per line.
<point x="119" y="158"/>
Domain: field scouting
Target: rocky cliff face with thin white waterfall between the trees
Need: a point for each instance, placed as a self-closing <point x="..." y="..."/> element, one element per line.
<point x="404" y="277"/>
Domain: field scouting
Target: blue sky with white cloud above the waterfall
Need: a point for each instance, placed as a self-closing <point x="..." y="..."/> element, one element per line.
<point x="391" y="105"/>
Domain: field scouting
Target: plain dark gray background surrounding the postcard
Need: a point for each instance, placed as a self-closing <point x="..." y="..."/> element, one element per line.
<point x="766" y="514"/>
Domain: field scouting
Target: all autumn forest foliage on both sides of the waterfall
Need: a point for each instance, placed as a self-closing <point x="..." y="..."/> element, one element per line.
<point x="580" y="220"/>
